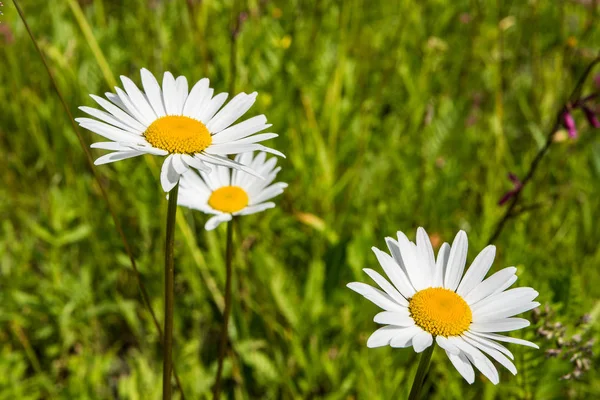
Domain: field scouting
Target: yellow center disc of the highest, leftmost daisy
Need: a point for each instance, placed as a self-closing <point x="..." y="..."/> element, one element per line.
<point x="178" y="134"/>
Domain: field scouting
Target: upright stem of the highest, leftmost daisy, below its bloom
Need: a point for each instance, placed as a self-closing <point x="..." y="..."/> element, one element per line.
<point x="169" y="273"/>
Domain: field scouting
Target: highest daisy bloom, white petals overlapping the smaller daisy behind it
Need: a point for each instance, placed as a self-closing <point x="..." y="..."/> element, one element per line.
<point x="187" y="127"/>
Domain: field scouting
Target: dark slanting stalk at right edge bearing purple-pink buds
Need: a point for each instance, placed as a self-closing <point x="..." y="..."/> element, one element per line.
<point x="573" y="98"/>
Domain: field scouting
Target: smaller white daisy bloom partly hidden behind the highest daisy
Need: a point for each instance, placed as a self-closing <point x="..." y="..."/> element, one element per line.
<point x="225" y="193"/>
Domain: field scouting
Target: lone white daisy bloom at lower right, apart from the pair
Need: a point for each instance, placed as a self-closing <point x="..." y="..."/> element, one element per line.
<point x="430" y="299"/>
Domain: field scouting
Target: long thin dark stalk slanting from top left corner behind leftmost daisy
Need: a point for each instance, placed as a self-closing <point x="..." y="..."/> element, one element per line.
<point x="90" y="162"/>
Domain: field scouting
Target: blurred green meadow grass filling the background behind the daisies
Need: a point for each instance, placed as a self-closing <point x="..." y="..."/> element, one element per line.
<point x="392" y="114"/>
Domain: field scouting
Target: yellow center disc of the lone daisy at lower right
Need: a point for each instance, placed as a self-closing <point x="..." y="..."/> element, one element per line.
<point x="440" y="312"/>
